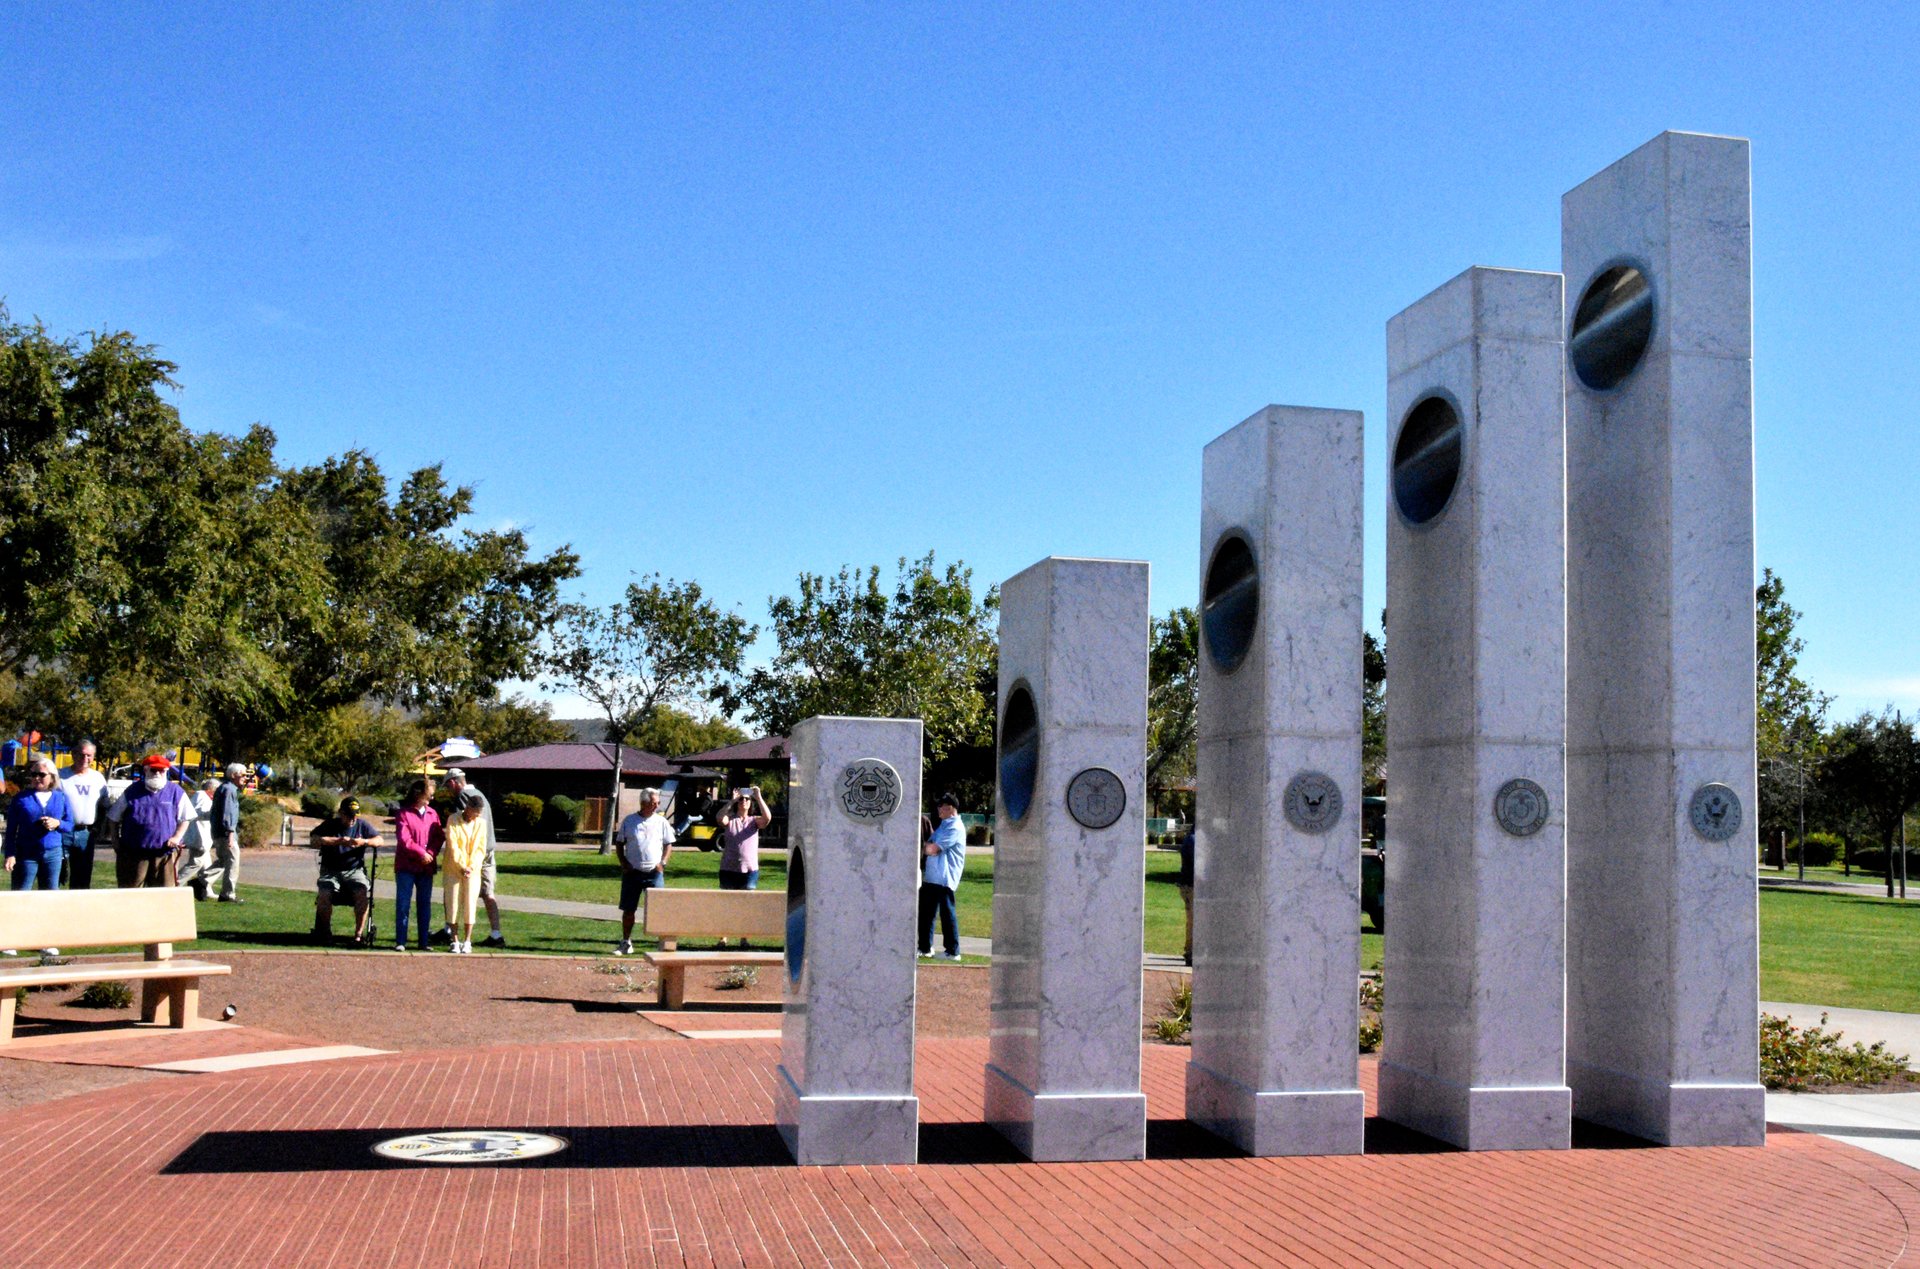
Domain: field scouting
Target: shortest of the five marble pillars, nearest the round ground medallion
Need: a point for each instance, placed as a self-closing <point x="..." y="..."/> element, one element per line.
<point x="846" y="1082"/>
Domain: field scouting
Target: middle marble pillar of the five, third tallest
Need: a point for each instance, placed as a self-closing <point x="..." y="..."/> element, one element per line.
<point x="1278" y="850"/>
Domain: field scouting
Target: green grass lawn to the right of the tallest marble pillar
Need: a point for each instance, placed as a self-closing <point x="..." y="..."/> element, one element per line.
<point x="1850" y="951"/>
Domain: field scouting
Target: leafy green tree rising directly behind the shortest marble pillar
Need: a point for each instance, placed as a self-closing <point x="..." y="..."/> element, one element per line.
<point x="848" y="646"/>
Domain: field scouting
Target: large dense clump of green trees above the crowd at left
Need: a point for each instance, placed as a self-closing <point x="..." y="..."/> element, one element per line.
<point x="262" y="594"/>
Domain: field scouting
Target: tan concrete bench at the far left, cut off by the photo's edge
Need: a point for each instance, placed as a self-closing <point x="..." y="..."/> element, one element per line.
<point x="156" y="919"/>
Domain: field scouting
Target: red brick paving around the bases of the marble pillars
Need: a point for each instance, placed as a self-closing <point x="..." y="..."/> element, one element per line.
<point x="675" y="1162"/>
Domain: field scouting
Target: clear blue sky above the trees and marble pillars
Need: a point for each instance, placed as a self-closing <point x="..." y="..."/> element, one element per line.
<point x="744" y="291"/>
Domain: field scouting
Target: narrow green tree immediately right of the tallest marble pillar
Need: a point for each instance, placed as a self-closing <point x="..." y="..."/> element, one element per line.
<point x="1788" y="713"/>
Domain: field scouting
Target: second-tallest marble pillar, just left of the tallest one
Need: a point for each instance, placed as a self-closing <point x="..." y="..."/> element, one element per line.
<point x="1476" y="717"/>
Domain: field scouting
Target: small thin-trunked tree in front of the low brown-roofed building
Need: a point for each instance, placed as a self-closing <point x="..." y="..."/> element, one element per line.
<point x="663" y="644"/>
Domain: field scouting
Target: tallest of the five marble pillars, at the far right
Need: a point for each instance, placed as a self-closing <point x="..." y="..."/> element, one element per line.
<point x="1662" y="930"/>
